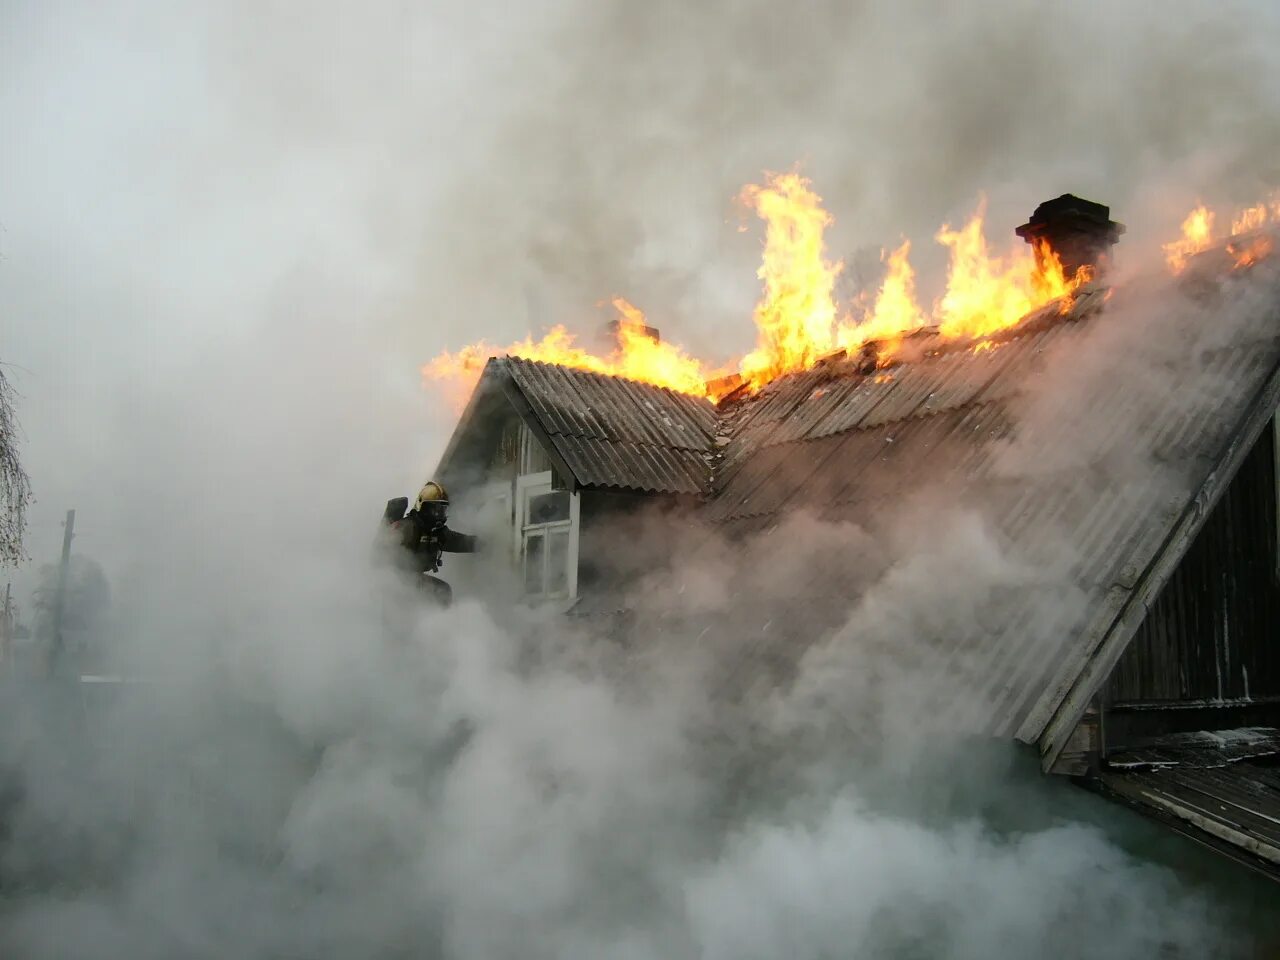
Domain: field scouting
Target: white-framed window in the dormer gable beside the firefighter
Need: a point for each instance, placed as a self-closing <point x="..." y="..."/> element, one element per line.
<point x="548" y="538"/>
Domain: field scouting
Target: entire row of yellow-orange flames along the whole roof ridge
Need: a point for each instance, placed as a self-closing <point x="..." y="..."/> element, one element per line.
<point x="799" y="323"/>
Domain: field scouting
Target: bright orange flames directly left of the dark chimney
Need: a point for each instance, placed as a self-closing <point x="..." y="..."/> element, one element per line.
<point x="988" y="294"/>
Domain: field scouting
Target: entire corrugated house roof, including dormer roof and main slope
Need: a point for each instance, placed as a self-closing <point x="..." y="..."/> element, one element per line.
<point x="988" y="428"/>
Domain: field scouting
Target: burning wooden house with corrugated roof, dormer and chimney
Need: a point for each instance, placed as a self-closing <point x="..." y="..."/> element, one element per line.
<point x="1119" y="445"/>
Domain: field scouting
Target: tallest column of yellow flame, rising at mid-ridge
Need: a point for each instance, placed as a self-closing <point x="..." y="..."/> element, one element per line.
<point x="797" y="314"/>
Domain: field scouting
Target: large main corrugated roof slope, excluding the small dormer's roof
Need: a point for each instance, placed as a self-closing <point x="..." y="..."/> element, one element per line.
<point x="847" y="446"/>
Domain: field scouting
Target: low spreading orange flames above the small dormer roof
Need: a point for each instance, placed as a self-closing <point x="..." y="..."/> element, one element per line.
<point x="637" y="356"/>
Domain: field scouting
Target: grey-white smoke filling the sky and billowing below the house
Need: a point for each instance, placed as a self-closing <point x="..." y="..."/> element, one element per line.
<point x="231" y="235"/>
